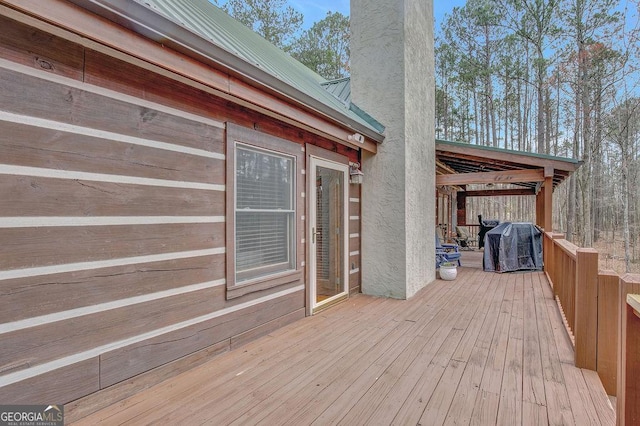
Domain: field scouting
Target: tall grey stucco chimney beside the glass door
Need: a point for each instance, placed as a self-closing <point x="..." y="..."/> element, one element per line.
<point x="392" y="78"/>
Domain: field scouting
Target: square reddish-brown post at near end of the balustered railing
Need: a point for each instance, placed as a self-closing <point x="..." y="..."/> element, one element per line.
<point x="586" y="308"/>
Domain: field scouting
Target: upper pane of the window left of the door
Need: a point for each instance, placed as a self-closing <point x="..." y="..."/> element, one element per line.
<point x="263" y="181"/>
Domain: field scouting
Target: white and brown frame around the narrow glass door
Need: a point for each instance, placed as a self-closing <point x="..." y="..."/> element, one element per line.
<point x="318" y="156"/>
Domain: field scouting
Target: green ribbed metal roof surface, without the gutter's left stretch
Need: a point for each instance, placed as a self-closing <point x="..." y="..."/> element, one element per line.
<point x="212" y="24"/>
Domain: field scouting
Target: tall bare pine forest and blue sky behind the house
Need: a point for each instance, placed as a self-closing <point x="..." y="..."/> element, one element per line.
<point x="555" y="77"/>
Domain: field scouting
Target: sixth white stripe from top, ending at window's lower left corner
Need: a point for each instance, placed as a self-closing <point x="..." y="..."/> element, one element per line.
<point x="102" y="307"/>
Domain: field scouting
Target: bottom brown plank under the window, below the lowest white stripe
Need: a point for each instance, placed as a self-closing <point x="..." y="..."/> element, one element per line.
<point x="126" y="362"/>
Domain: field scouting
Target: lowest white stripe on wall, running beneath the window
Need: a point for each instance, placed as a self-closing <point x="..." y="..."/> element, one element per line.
<point x="92" y="353"/>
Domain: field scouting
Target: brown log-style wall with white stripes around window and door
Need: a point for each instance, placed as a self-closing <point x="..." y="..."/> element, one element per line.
<point x="112" y="227"/>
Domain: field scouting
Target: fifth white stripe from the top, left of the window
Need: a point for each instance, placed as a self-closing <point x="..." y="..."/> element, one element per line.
<point x="85" y="266"/>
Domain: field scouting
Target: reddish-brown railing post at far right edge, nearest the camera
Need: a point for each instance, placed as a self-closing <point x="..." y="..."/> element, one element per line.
<point x="629" y="284"/>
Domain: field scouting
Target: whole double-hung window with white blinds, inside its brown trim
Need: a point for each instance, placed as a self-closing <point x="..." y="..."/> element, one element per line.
<point x="265" y="213"/>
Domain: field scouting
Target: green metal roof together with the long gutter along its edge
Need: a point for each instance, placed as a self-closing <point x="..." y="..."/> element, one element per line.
<point x="201" y="27"/>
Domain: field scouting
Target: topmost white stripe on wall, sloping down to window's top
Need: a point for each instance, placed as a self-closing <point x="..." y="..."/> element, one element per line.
<point x="54" y="78"/>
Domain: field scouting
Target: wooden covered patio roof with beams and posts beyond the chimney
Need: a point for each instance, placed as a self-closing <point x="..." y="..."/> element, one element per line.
<point x="459" y="164"/>
